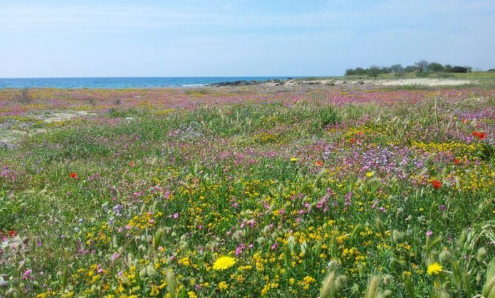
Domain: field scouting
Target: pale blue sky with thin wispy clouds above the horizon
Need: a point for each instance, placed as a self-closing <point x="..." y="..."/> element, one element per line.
<point x="146" y="38"/>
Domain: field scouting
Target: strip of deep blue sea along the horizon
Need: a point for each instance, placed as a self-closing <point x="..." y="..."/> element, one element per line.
<point x="121" y="83"/>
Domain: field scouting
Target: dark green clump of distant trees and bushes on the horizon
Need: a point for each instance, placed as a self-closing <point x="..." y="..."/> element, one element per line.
<point x="421" y="68"/>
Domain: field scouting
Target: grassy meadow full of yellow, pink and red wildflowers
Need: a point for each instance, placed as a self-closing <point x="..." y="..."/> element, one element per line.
<point x="349" y="191"/>
